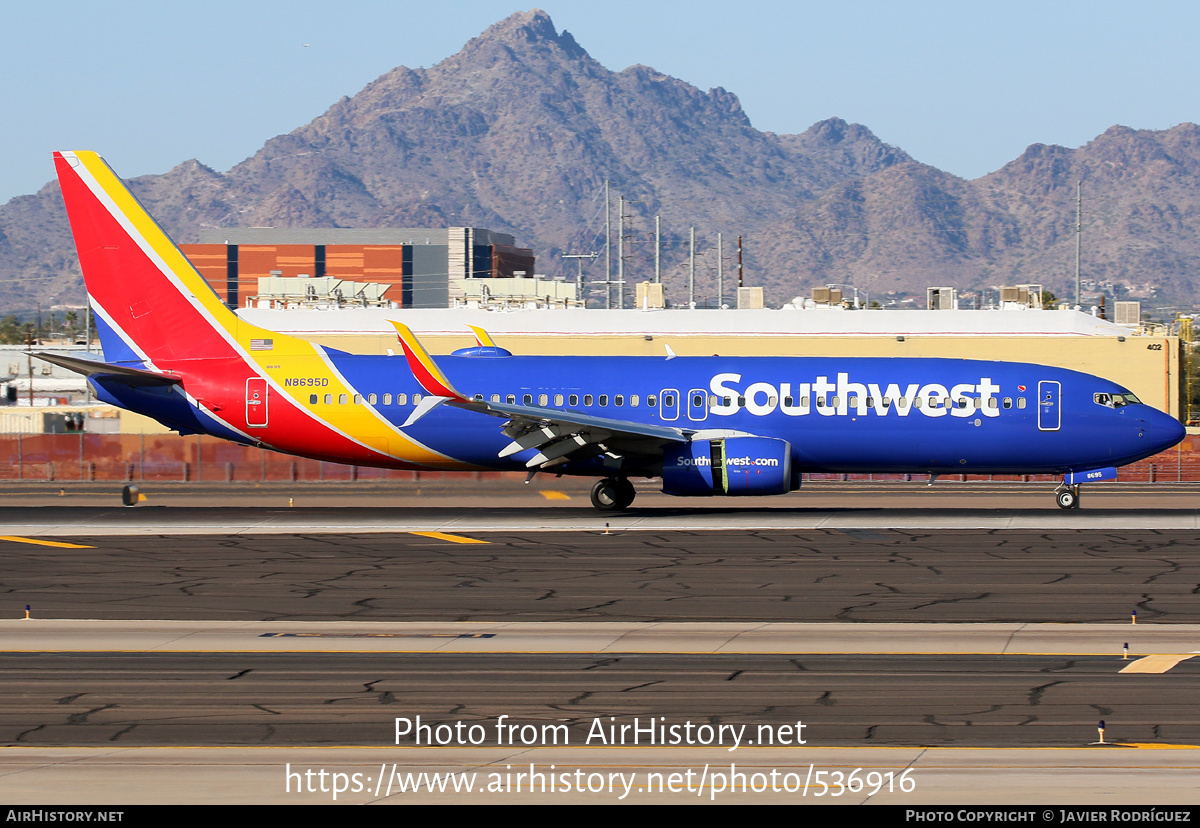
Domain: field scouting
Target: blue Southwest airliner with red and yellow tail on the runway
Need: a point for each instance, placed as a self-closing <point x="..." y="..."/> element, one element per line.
<point x="737" y="427"/>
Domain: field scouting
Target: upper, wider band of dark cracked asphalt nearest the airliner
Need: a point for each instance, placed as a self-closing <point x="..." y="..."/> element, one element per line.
<point x="731" y="575"/>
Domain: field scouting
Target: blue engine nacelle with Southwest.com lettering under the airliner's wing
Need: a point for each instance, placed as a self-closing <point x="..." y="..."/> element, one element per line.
<point x="737" y="466"/>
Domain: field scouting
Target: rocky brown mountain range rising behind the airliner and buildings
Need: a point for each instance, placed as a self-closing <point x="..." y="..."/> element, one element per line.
<point x="520" y="130"/>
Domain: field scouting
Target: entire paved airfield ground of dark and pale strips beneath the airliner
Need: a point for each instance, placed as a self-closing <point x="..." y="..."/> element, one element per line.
<point x="236" y="640"/>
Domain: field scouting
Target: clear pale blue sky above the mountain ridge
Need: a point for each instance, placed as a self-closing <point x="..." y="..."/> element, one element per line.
<point x="961" y="86"/>
